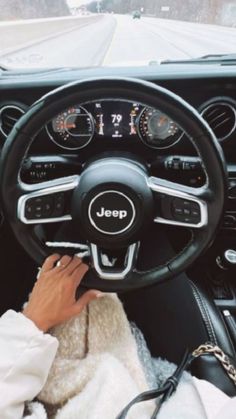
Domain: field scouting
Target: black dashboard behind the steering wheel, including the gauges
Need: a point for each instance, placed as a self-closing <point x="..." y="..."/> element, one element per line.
<point x="82" y="133"/>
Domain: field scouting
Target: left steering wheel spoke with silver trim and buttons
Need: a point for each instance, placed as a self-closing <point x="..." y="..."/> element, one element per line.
<point x="46" y="202"/>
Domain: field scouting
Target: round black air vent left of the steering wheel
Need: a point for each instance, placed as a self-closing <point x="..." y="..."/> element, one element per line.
<point x="9" y="115"/>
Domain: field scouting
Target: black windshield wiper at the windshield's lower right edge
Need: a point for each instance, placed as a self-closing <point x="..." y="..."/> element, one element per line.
<point x="222" y="59"/>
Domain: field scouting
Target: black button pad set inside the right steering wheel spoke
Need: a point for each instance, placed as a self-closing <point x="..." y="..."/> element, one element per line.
<point x="186" y="211"/>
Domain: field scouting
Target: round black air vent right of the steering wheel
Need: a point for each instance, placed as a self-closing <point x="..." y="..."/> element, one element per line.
<point x="221" y="116"/>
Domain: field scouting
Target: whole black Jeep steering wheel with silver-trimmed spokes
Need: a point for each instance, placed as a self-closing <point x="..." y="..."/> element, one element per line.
<point x="115" y="199"/>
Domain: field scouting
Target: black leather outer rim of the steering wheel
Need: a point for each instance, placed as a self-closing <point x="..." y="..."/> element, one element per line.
<point x="138" y="91"/>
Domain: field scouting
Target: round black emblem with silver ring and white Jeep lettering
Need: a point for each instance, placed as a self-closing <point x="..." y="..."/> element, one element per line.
<point x="111" y="212"/>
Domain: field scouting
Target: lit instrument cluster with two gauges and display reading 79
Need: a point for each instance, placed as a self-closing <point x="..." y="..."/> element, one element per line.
<point x="77" y="126"/>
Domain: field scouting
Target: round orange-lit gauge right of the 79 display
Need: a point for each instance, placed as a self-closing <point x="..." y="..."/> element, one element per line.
<point x="157" y="130"/>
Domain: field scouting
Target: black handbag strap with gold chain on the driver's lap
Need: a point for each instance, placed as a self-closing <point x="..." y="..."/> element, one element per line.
<point x="164" y="393"/>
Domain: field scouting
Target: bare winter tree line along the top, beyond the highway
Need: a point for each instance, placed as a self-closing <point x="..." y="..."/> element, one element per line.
<point x="206" y="11"/>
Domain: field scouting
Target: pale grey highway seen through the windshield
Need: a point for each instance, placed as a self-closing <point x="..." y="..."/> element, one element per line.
<point x="120" y="40"/>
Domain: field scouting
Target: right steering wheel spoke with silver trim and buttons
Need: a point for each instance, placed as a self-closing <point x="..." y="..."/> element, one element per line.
<point x="179" y="205"/>
